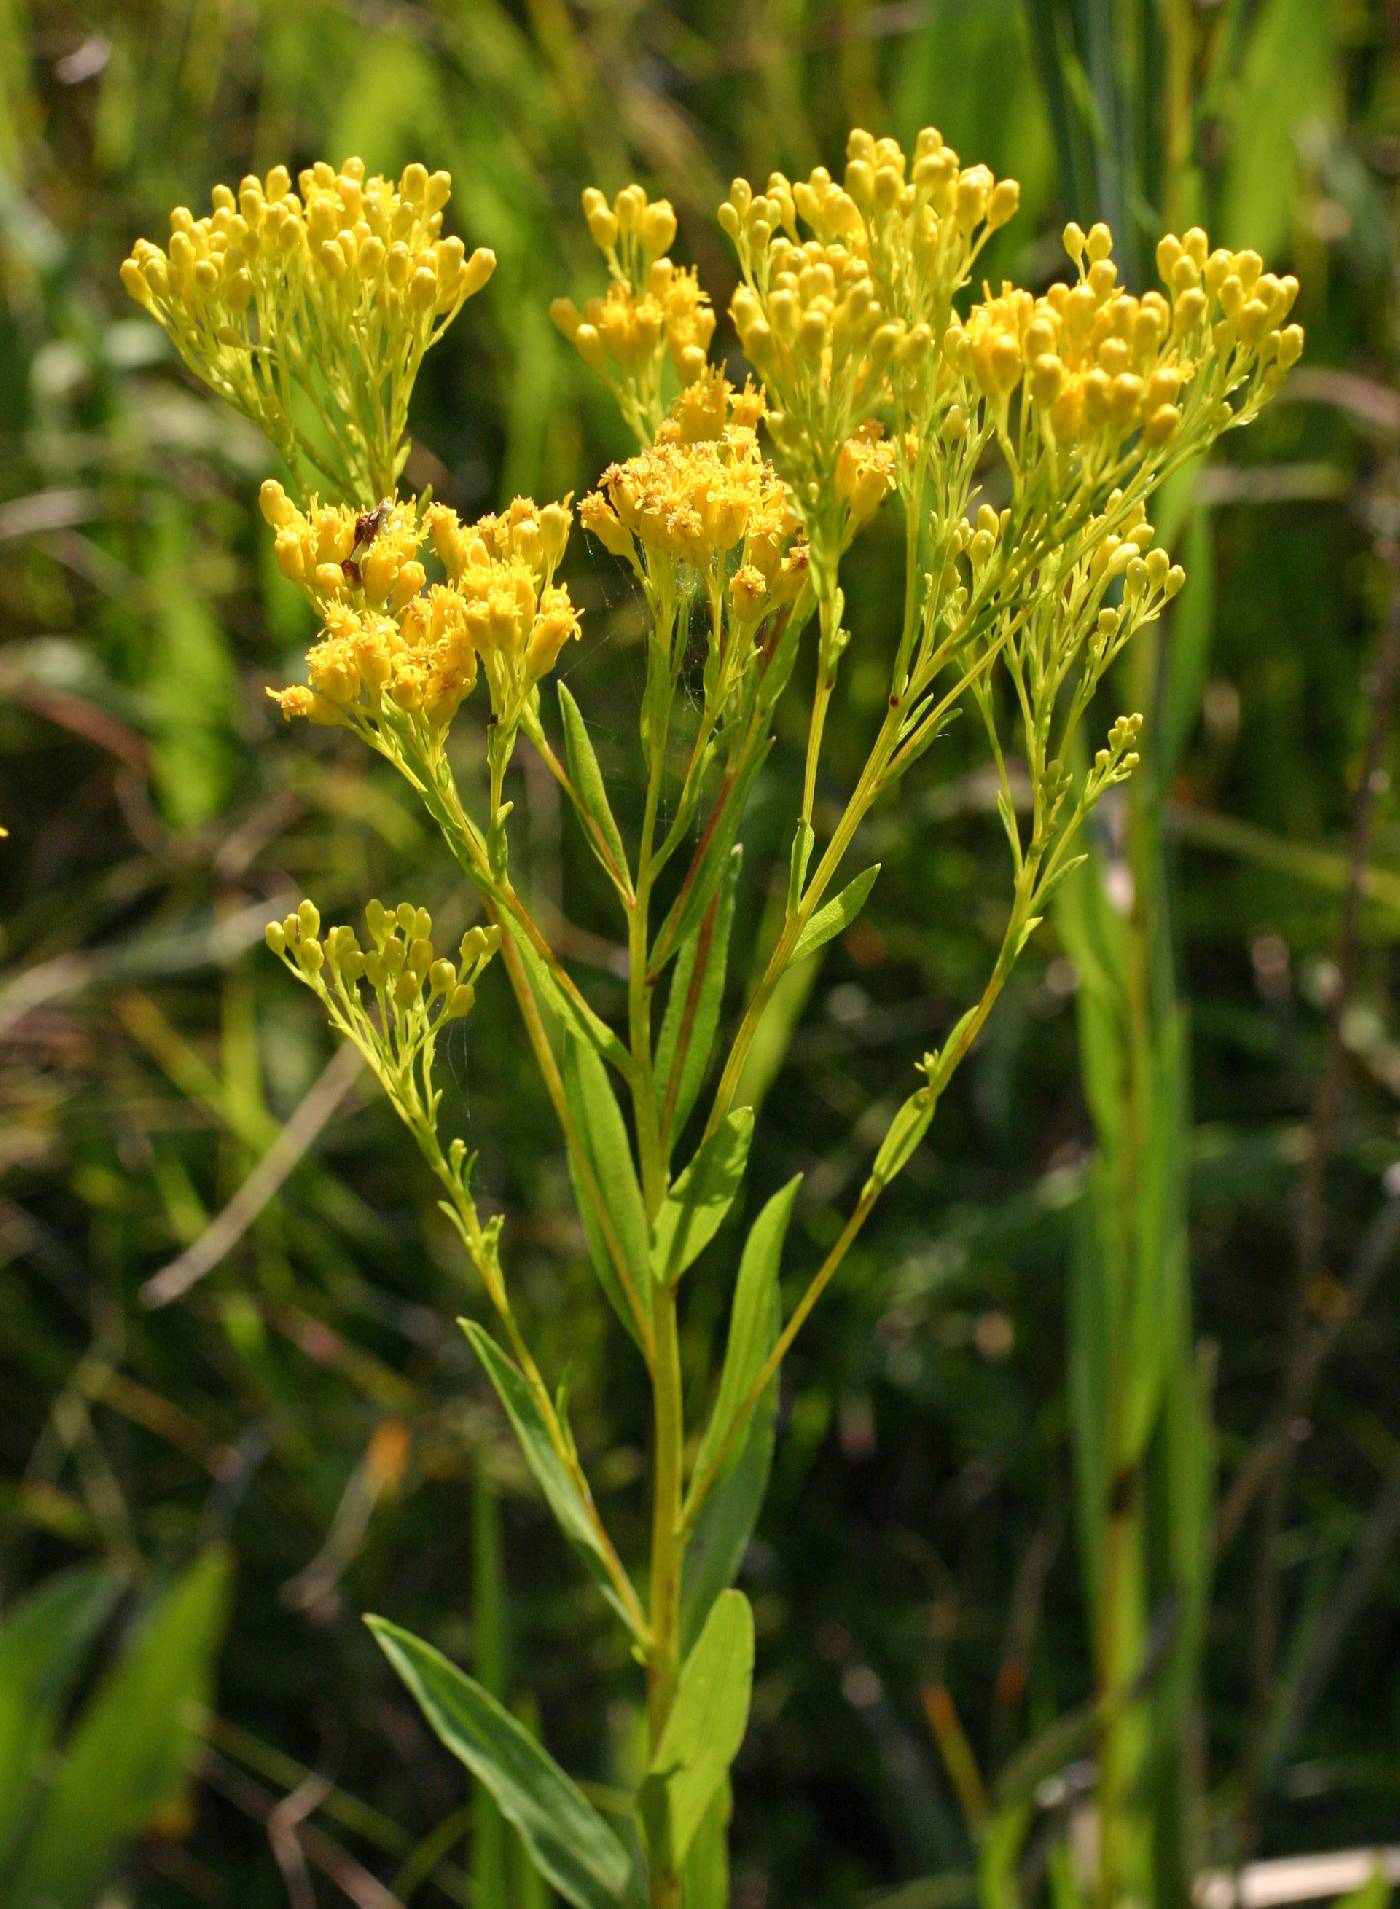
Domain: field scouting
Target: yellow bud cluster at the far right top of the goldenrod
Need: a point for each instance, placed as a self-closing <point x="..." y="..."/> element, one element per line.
<point x="1101" y="366"/>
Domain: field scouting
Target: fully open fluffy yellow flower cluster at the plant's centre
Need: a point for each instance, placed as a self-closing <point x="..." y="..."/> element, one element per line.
<point x="700" y="501"/>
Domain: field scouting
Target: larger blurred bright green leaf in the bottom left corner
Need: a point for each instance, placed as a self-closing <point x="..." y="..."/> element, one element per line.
<point x="131" y="1750"/>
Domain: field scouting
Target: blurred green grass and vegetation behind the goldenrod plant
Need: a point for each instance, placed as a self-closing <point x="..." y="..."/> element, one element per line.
<point x="307" y="1400"/>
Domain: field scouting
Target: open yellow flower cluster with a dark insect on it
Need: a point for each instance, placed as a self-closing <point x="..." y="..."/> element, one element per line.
<point x="421" y="648"/>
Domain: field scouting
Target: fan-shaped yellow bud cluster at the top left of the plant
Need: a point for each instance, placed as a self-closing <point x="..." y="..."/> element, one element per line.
<point x="333" y="291"/>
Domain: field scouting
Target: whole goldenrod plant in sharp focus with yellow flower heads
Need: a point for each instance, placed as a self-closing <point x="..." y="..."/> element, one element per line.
<point x="1019" y="440"/>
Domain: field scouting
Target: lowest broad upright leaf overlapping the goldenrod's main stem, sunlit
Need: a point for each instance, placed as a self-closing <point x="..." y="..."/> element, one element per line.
<point x="708" y="1721"/>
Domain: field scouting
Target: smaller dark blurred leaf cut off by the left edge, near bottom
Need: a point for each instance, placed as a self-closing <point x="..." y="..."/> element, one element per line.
<point x="41" y="1647"/>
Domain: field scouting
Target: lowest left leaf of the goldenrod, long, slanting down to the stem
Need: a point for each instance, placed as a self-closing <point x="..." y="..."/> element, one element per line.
<point x="566" y="1837"/>
